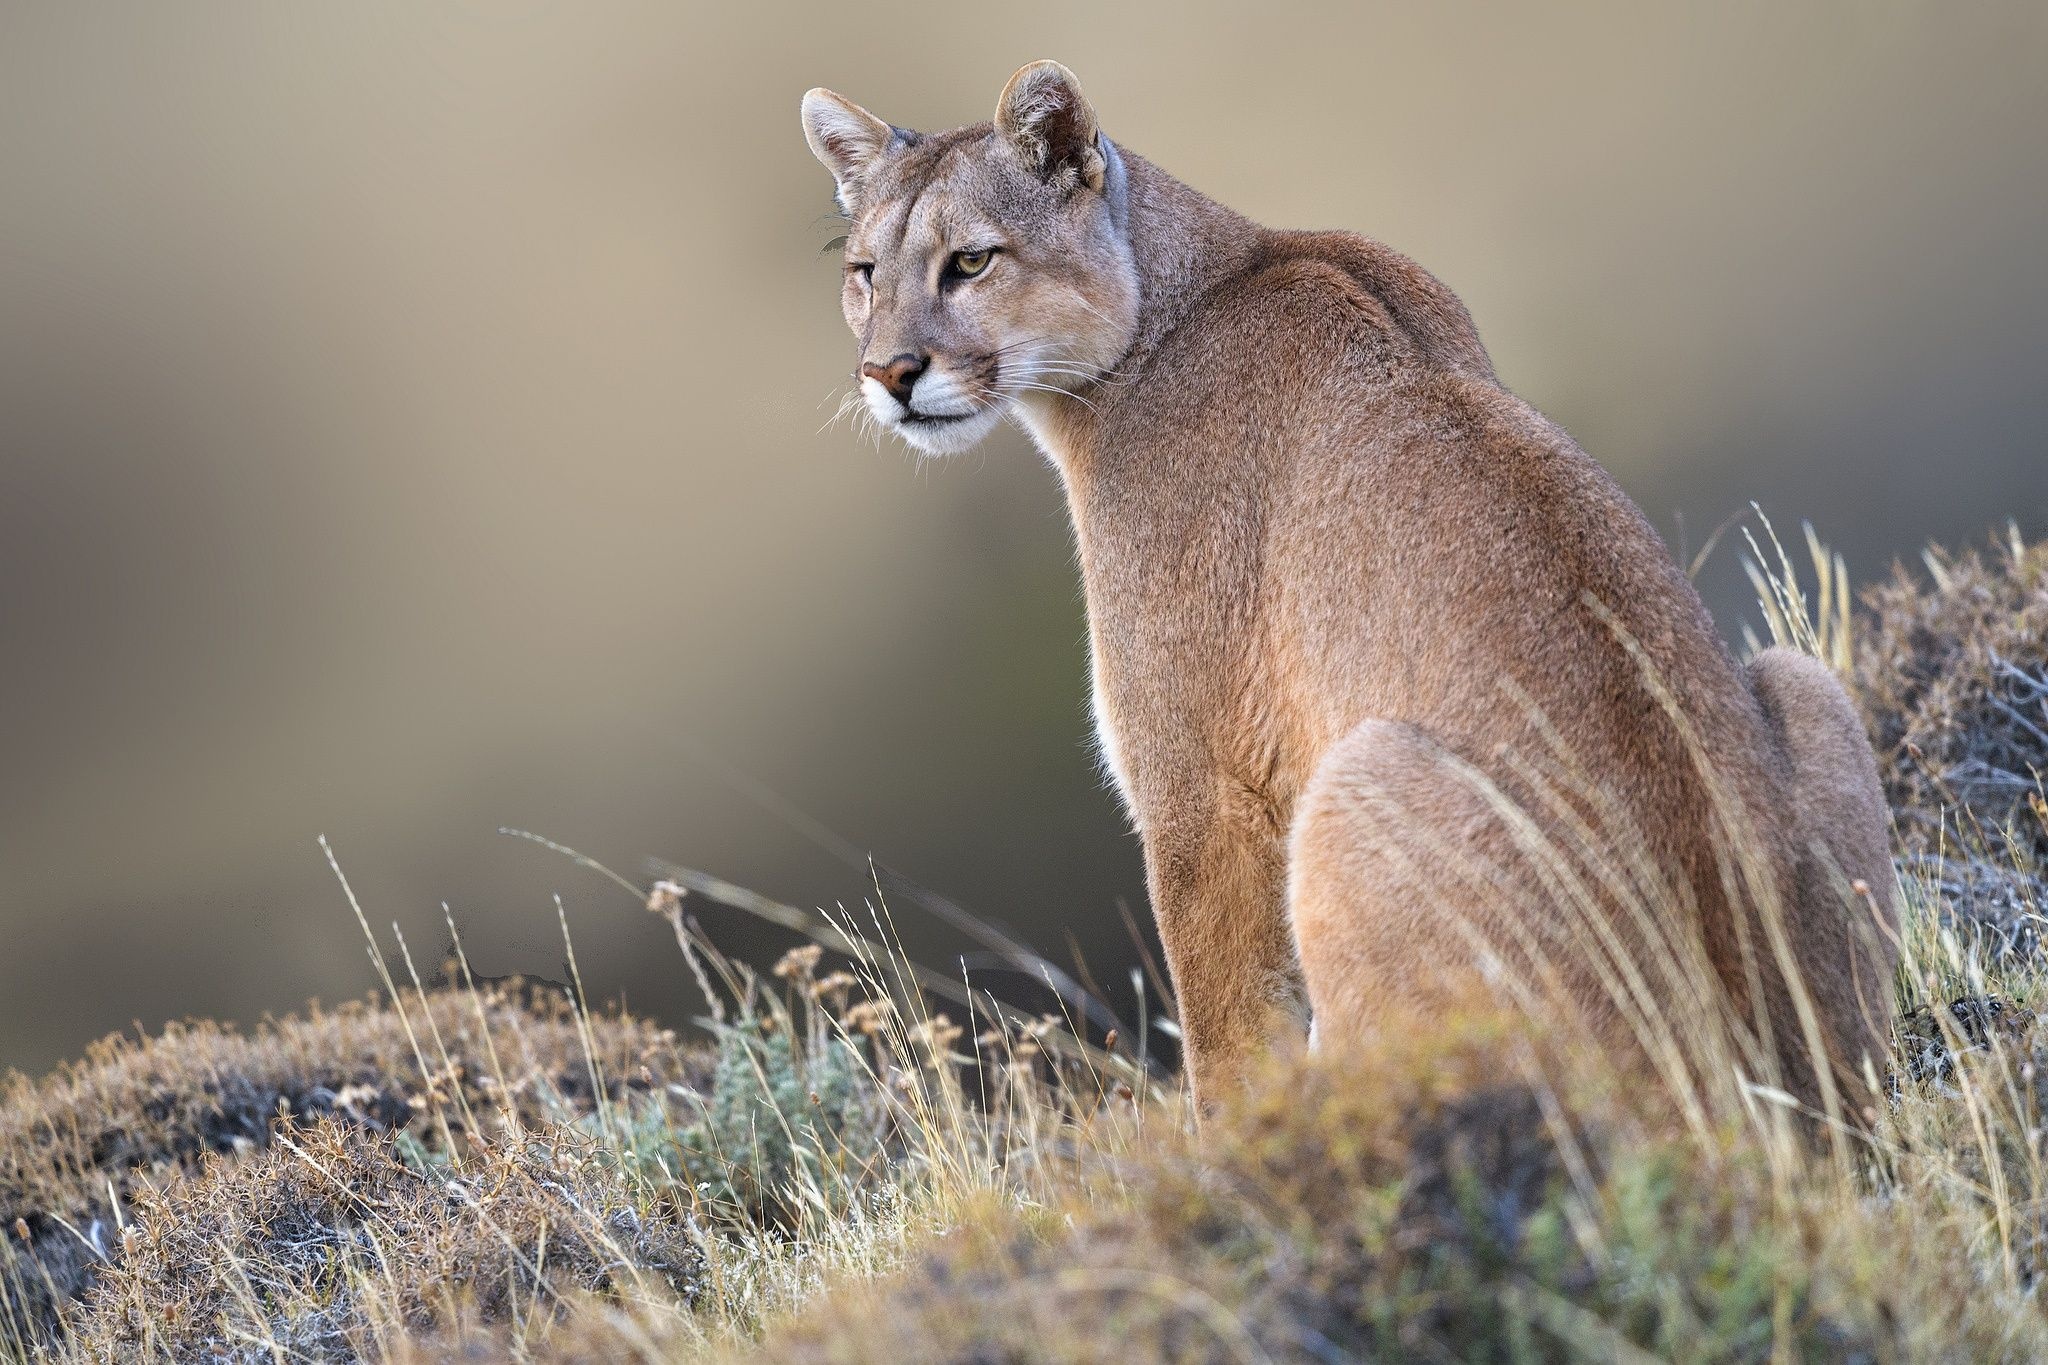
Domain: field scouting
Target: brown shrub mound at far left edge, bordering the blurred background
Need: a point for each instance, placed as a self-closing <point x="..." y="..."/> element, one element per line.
<point x="83" y="1143"/>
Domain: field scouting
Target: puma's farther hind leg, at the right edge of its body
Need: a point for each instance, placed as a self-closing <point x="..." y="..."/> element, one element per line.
<point x="1842" y="910"/>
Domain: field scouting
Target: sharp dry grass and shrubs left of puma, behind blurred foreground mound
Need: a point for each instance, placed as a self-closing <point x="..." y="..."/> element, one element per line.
<point x="497" y="1174"/>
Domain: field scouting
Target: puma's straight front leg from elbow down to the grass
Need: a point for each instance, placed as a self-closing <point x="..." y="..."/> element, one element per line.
<point x="1218" y="879"/>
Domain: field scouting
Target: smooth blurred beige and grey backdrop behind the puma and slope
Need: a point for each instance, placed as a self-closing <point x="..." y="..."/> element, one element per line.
<point x="413" y="423"/>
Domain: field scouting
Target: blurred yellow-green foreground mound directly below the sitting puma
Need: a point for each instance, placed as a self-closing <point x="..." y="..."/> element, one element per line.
<point x="1428" y="1202"/>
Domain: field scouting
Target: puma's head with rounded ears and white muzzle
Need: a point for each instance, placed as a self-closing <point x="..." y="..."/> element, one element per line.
<point x="984" y="267"/>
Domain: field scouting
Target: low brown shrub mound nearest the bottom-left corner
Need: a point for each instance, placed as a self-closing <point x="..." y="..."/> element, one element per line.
<point x="327" y="1245"/>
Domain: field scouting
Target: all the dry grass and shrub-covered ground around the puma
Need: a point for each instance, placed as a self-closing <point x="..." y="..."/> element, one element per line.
<point x="849" y="1176"/>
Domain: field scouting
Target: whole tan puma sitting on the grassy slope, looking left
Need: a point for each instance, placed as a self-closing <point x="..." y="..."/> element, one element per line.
<point x="1390" y="674"/>
